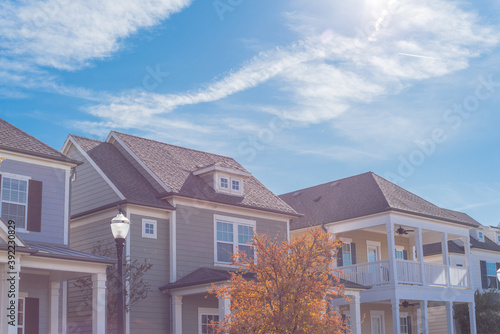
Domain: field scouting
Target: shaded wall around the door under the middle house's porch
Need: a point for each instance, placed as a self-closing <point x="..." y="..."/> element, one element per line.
<point x="190" y="305"/>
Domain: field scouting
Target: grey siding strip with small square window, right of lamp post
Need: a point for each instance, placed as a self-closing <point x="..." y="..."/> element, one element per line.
<point x="151" y="315"/>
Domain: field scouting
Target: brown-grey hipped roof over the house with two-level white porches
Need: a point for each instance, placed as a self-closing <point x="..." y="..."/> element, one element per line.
<point x="359" y="196"/>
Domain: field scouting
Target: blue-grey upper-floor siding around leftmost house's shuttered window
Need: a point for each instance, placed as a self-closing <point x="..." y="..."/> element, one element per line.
<point x="53" y="190"/>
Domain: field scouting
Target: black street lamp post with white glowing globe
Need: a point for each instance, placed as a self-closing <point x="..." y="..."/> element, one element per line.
<point x="120" y="226"/>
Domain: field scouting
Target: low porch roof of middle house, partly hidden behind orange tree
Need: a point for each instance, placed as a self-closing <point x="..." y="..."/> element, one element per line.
<point x="206" y="275"/>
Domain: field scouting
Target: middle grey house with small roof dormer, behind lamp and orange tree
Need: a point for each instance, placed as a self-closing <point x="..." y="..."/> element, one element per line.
<point x="189" y="211"/>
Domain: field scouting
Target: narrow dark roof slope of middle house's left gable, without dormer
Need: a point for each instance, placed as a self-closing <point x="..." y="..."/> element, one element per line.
<point x="121" y="173"/>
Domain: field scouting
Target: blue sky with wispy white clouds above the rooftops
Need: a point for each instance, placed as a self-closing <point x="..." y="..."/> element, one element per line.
<point x="299" y="92"/>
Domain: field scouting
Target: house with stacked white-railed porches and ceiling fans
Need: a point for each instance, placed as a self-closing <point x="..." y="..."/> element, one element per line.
<point x="384" y="230"/>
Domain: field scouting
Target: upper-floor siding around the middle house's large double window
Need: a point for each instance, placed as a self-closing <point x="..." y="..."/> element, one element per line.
<point x="195" y="236"/>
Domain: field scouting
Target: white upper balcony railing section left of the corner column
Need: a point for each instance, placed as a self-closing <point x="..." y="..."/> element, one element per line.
<point x="368" y="274"/>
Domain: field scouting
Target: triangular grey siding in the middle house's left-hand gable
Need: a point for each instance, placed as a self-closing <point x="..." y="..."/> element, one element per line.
<point x="89" y="190"/>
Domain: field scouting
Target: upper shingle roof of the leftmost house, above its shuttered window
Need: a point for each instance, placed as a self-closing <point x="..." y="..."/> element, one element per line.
<point x="16" y="140"/>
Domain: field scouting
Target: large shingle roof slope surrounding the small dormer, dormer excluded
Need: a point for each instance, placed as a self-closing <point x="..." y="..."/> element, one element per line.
<point x="176" y="166"/>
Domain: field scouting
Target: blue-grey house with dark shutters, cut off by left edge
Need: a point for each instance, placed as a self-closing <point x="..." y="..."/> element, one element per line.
<point x="35" y="259"/>
